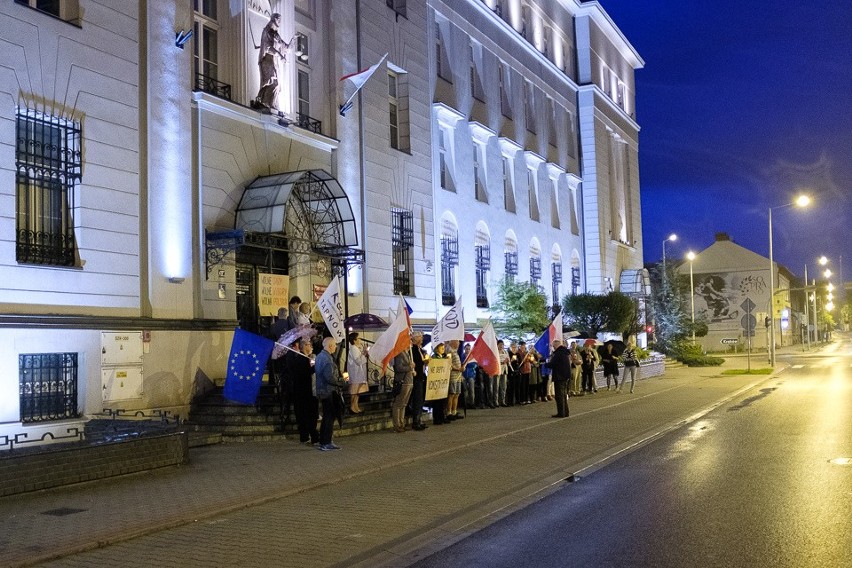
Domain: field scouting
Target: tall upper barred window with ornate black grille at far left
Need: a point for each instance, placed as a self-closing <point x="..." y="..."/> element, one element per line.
<point x="48" y="166"/>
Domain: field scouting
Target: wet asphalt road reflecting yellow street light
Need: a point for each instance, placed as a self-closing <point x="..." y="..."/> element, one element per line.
<point x="750" y="484"/>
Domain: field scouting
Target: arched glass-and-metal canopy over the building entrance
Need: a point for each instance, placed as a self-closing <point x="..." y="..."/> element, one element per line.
<point x="319" y="202"/>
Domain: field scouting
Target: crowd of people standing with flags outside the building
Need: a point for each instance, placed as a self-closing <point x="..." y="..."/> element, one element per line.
<point x="526" y="377"/>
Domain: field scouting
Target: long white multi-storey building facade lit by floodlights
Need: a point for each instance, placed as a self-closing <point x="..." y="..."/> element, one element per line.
<point x="148" y="206"/>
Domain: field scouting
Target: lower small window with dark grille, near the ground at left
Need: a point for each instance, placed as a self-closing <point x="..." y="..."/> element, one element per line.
<point x="48" y="386"/>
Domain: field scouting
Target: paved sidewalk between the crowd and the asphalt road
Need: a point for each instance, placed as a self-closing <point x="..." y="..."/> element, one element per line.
<point x="375" y="501"/>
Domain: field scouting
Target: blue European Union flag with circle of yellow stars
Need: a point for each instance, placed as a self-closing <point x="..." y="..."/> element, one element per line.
<point x="246" y="364"/>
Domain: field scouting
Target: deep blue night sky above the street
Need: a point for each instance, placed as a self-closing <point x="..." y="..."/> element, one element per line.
<point x="740" y="104"/>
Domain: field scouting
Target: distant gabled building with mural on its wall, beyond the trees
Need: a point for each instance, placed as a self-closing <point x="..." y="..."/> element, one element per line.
<point x="727" y="280"/>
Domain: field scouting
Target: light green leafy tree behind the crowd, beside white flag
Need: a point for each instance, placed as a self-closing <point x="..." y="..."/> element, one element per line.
<point x="519" y="309"/>
